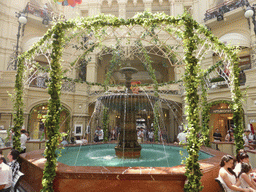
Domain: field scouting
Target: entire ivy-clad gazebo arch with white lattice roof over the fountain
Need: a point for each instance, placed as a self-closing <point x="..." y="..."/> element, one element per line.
<point x="182" y="41"/>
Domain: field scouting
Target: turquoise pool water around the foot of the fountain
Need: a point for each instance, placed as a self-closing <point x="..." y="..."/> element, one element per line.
<point x="104" y="155"/>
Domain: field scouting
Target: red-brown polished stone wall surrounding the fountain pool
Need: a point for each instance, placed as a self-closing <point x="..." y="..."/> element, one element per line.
<point x="95" y="178"/>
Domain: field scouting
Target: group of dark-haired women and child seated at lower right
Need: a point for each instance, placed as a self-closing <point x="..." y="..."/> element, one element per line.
<point x="237" y="174"/>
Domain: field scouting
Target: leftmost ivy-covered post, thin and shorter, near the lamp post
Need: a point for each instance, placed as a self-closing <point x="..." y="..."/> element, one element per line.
<point x="18" y="106"/>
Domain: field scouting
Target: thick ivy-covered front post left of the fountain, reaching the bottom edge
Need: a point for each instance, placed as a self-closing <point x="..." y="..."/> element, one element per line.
<point x="53" y="116"/>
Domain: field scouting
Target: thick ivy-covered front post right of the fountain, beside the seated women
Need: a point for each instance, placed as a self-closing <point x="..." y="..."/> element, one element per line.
<point x="191" y="83"/>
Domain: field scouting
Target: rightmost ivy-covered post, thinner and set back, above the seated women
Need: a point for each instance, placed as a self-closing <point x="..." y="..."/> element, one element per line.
<point x="236" y="96"/>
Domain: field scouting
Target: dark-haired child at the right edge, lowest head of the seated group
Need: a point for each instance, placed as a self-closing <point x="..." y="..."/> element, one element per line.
<point x="245" y="177"/>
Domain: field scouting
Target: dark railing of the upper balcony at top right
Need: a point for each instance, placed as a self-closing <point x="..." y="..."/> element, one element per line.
<point x="222" y="8"/>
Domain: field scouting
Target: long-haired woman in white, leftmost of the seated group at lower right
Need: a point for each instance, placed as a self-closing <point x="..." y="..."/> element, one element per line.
<point x="227" y="176"/>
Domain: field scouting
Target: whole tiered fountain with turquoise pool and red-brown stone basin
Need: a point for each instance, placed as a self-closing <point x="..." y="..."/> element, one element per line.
<point x="128" y="166"/>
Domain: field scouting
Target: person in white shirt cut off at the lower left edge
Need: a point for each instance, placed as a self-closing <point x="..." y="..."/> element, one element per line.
<point x="5" y="176"/>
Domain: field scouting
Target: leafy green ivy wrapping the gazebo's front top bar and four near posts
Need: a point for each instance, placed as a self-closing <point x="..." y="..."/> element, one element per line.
<point x="191" y="82"/>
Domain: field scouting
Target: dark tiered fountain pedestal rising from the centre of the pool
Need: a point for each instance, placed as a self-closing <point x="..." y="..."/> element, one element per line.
<point x="128" y="146"/>
